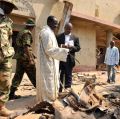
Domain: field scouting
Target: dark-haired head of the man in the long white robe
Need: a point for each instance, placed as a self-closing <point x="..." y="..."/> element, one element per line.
<point x="52" y="22"/>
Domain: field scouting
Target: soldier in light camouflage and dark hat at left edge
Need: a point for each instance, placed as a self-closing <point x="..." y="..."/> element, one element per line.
<point x="6" y="54"/>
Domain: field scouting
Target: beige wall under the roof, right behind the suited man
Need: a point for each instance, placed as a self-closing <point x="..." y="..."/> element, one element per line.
<point x="87" y="54"/>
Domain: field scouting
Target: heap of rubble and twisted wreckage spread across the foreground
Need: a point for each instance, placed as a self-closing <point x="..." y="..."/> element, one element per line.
<point x="86" y="102"/>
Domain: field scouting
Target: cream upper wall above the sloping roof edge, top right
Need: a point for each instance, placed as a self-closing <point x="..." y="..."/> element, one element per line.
<point x="107" y="10"/>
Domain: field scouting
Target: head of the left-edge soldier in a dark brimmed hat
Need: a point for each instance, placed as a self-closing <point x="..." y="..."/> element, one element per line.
<point x="7" y="6"/>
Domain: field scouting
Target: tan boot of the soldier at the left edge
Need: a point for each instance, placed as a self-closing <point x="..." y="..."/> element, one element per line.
<point x="5" y="112"/>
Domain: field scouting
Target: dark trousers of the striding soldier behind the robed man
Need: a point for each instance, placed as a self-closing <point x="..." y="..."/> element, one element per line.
<point x="21" y="68"/>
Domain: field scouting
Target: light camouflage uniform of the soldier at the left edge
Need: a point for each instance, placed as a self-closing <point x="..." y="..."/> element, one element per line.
<point x="6" y="53"/>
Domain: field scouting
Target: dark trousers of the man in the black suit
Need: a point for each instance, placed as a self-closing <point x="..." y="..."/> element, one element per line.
<point x="65" y="75"/>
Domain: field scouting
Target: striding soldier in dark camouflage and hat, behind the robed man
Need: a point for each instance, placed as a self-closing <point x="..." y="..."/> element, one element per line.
<point x="25" y="58"/>
